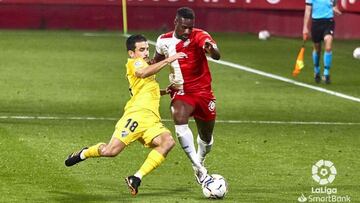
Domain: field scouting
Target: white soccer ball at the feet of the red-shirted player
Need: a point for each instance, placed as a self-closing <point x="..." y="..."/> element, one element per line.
<point x="215" y="188"/>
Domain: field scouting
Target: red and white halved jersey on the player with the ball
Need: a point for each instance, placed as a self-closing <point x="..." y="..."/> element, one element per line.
<point x="190" y="74"/>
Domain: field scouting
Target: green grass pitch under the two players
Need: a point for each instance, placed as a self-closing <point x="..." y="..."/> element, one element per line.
<point x="69" y="74"/>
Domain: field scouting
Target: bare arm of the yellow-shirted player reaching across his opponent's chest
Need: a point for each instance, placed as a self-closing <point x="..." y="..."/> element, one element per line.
<point x="155" y="68"/>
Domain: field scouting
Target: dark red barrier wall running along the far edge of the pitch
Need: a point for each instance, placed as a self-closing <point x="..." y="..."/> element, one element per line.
<point x="280" y="17"/>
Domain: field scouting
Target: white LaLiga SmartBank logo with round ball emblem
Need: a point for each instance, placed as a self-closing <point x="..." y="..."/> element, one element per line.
<point x="324" y="173"/>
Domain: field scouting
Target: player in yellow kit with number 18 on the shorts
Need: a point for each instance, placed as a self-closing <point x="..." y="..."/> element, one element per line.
<point x="141" y="118"/>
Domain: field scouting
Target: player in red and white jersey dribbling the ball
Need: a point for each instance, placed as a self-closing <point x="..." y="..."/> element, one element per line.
<point x="192" y="95"/>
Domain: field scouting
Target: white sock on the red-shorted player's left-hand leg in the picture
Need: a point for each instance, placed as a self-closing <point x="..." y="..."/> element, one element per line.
<point x="186" y="140"/>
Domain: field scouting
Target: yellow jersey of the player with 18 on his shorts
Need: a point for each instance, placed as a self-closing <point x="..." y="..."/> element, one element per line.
<point x="145" y="92"/>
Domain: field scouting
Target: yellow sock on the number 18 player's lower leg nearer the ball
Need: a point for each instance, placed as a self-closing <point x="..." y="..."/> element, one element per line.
<point x="153" y="160"/>
